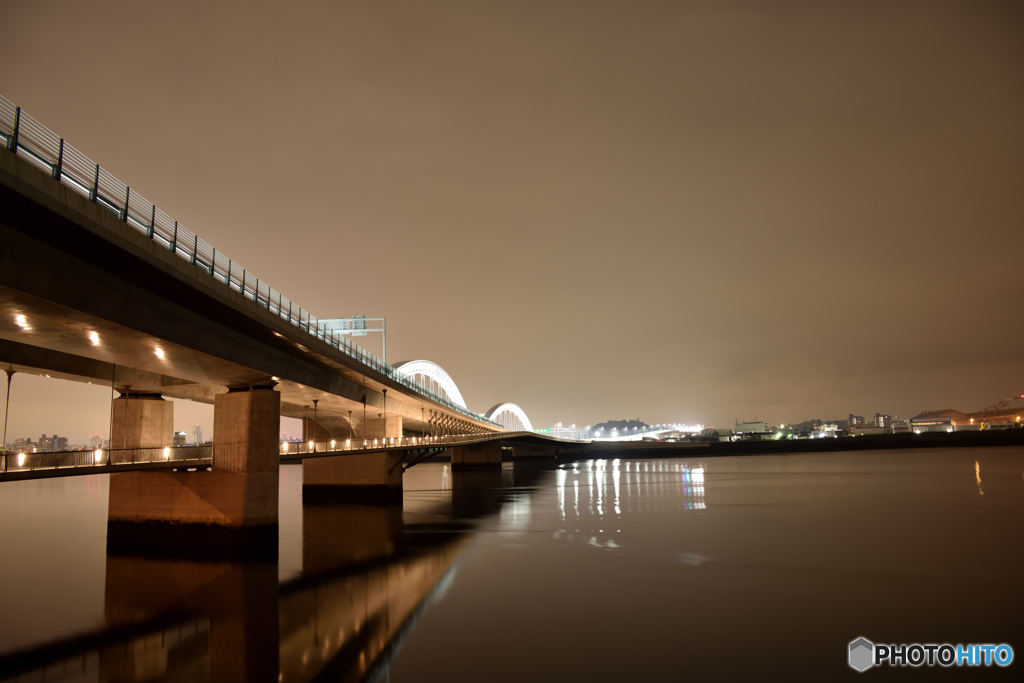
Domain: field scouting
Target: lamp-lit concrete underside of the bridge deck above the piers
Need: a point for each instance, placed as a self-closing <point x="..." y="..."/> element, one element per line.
<point x="59" y="345"/>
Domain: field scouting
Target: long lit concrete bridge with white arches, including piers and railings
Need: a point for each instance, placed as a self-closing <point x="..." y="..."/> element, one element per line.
<point x="99" y="285"/>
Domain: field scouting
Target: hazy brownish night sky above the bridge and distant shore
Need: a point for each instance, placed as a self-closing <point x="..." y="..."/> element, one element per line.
<point x="672" y="211"/>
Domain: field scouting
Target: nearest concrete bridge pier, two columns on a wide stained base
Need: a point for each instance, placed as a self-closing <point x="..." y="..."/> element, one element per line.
<point x="240" y="493"/>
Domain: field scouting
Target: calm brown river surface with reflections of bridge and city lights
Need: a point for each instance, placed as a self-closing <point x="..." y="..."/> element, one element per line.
<point x="601" y="571"/>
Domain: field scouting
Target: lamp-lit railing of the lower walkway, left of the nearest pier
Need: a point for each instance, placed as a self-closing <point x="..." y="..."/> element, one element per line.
<point x="30" y="462"/>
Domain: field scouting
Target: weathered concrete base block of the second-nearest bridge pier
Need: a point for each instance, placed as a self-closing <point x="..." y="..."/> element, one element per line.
<point x="360" y="478"/>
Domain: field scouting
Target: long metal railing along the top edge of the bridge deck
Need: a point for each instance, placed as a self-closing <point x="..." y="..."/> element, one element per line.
<point x="25" y="137"/>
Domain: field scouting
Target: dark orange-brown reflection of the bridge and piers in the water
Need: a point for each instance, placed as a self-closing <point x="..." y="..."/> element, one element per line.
<point x="180" y="615"/>
